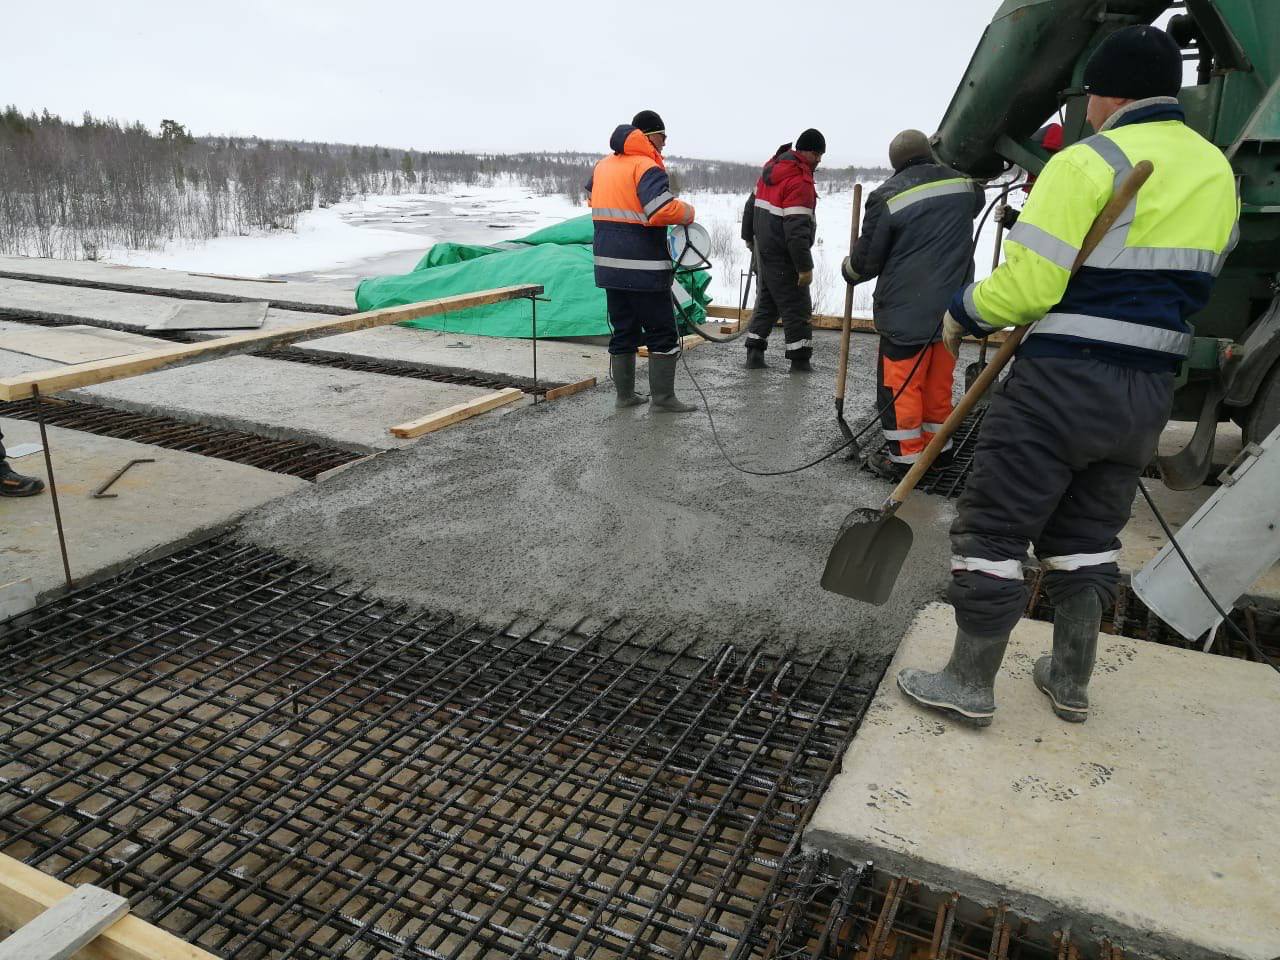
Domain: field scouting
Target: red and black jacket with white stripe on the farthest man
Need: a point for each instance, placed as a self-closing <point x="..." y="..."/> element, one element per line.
<point x="781" y="216"/>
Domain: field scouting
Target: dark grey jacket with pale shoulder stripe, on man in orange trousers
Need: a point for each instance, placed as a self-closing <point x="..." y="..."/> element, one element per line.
<point x="917" y="240"/>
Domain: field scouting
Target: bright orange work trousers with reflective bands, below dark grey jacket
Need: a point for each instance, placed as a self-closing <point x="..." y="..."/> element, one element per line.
<point x="912" y="415"/>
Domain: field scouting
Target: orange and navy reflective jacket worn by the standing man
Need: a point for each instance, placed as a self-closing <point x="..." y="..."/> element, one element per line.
<point x="632" y="208"/>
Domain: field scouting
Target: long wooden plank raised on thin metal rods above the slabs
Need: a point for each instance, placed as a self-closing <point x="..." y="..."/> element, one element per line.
<point x="122" y="368"/>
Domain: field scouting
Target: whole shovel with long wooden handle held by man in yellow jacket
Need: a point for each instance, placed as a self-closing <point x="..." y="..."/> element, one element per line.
<point x="874" y="543"/>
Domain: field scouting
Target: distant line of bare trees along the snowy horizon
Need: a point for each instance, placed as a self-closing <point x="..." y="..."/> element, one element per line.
<point x="72" y="190"/>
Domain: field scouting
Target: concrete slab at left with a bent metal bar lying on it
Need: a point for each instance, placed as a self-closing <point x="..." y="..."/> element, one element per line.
<point x="181" y="497"/>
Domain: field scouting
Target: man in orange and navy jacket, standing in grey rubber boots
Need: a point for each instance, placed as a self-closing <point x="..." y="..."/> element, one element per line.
<point x="632" y="208"/>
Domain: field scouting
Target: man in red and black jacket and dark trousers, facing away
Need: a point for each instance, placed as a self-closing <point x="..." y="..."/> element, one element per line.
<point x="779" y="226"/>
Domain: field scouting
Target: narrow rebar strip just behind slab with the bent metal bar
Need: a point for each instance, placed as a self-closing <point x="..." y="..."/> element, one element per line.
<point x="299" y="459"/>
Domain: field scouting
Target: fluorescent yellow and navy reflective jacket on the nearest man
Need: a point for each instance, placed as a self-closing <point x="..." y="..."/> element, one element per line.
<point x="1131" y="301"/>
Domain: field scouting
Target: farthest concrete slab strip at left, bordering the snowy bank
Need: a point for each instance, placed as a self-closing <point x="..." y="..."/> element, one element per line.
<point x="290" y="295"/>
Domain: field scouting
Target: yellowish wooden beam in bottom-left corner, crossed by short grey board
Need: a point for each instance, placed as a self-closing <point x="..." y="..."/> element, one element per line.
<point x="26" y="893"/>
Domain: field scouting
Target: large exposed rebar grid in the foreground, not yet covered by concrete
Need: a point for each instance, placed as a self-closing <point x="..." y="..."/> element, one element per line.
<point x="272" y="765"/>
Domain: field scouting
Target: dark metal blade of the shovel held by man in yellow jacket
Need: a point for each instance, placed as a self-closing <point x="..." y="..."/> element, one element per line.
<point x="867" y="556"/>
